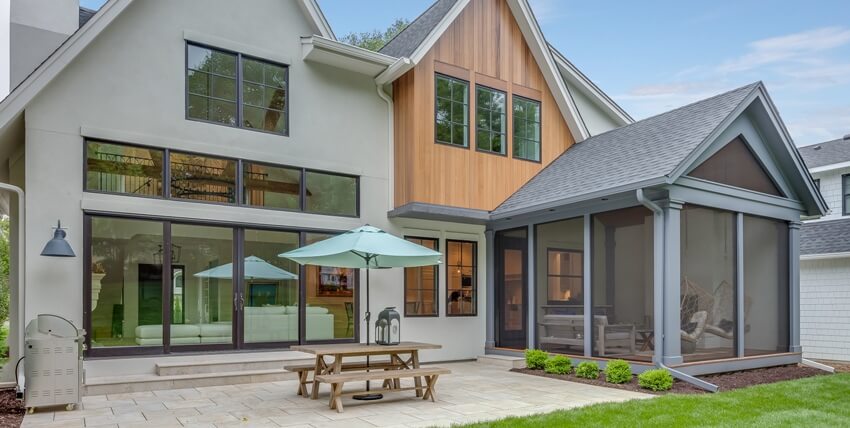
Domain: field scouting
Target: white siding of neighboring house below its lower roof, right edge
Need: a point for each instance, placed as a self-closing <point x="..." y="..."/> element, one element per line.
<point x="825" y="308"/>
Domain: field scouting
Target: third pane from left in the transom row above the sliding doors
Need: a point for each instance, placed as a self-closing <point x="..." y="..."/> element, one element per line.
<point x="271" y="186"/>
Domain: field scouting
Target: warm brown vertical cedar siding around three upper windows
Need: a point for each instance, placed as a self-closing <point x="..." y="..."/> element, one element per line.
<point x="483" y="45"/>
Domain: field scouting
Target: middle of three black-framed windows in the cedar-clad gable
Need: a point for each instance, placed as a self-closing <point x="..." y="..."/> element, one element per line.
<point x="490" y="120"/>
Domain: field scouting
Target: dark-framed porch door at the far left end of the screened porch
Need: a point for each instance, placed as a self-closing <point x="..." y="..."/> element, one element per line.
<point x="511" y="289"/>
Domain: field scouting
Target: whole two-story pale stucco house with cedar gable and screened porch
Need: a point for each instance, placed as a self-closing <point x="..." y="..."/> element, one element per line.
<point x="185" y="145"/>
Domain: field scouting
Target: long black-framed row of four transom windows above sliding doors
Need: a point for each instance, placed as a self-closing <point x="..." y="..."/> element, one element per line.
<point x="133" y="170"/>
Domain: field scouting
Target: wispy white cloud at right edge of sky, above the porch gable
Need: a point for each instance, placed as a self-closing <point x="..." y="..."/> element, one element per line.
<point x="791" y="47"/>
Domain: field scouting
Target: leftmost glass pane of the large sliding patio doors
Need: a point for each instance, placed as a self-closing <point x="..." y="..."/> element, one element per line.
<point x="126" y="282"/>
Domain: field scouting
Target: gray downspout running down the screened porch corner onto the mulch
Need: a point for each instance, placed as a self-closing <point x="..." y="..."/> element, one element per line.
<point x="658" y="293"/>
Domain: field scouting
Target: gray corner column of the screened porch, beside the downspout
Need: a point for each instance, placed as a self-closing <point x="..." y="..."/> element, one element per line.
<point x="672" y="282"/>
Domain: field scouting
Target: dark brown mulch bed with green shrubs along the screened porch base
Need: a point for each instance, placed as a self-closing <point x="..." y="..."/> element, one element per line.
<point x="726" y="381"/>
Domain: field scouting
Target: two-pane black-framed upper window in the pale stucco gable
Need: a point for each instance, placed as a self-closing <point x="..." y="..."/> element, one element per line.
<point x="236" y="90"/>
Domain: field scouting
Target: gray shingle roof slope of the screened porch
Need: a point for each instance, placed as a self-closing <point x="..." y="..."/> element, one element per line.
<point x="649" y="149"/>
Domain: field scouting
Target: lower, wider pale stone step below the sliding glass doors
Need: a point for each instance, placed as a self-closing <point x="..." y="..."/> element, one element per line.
<point x="153" y="382"/>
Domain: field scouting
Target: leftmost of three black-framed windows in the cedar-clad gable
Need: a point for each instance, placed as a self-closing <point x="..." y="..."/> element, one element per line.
<point x="452" y="111"/>
